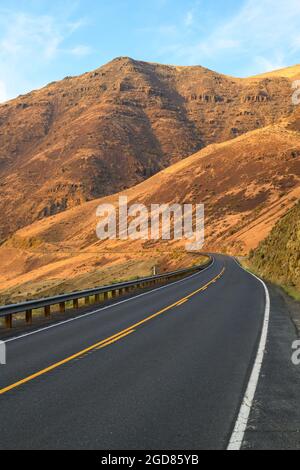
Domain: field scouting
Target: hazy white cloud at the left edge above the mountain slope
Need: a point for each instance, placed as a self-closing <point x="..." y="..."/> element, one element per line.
<point x="29" y="44"/>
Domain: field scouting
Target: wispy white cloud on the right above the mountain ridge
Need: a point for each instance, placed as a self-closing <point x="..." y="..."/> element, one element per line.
<point x="263" y="32"/>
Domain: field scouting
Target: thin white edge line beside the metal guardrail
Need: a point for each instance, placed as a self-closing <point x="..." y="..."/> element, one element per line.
<point x="79" y="317"/>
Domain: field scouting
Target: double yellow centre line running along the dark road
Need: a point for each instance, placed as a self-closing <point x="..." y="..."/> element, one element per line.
<point x="108" y="341"/>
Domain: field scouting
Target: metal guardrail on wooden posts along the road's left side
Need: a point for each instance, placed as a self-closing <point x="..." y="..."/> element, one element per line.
<point x="100" y="294"/>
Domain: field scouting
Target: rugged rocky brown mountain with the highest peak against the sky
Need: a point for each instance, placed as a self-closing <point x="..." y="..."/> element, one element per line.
<point x="90" y="136"/>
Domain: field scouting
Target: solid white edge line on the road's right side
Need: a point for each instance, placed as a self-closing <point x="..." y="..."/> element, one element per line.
<point x="237" y="437"/>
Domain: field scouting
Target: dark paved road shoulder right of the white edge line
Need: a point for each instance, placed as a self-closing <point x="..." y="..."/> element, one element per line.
<point x="275" y="416"/>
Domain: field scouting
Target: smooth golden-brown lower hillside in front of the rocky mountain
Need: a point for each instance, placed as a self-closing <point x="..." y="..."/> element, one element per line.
<point x="247" y="184"/>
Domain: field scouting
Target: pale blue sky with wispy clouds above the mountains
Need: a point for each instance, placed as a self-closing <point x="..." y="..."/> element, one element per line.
<point x="46" y="40"/>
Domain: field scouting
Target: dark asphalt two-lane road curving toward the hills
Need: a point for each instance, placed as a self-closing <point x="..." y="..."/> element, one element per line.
<point x="167" y="369"/>
